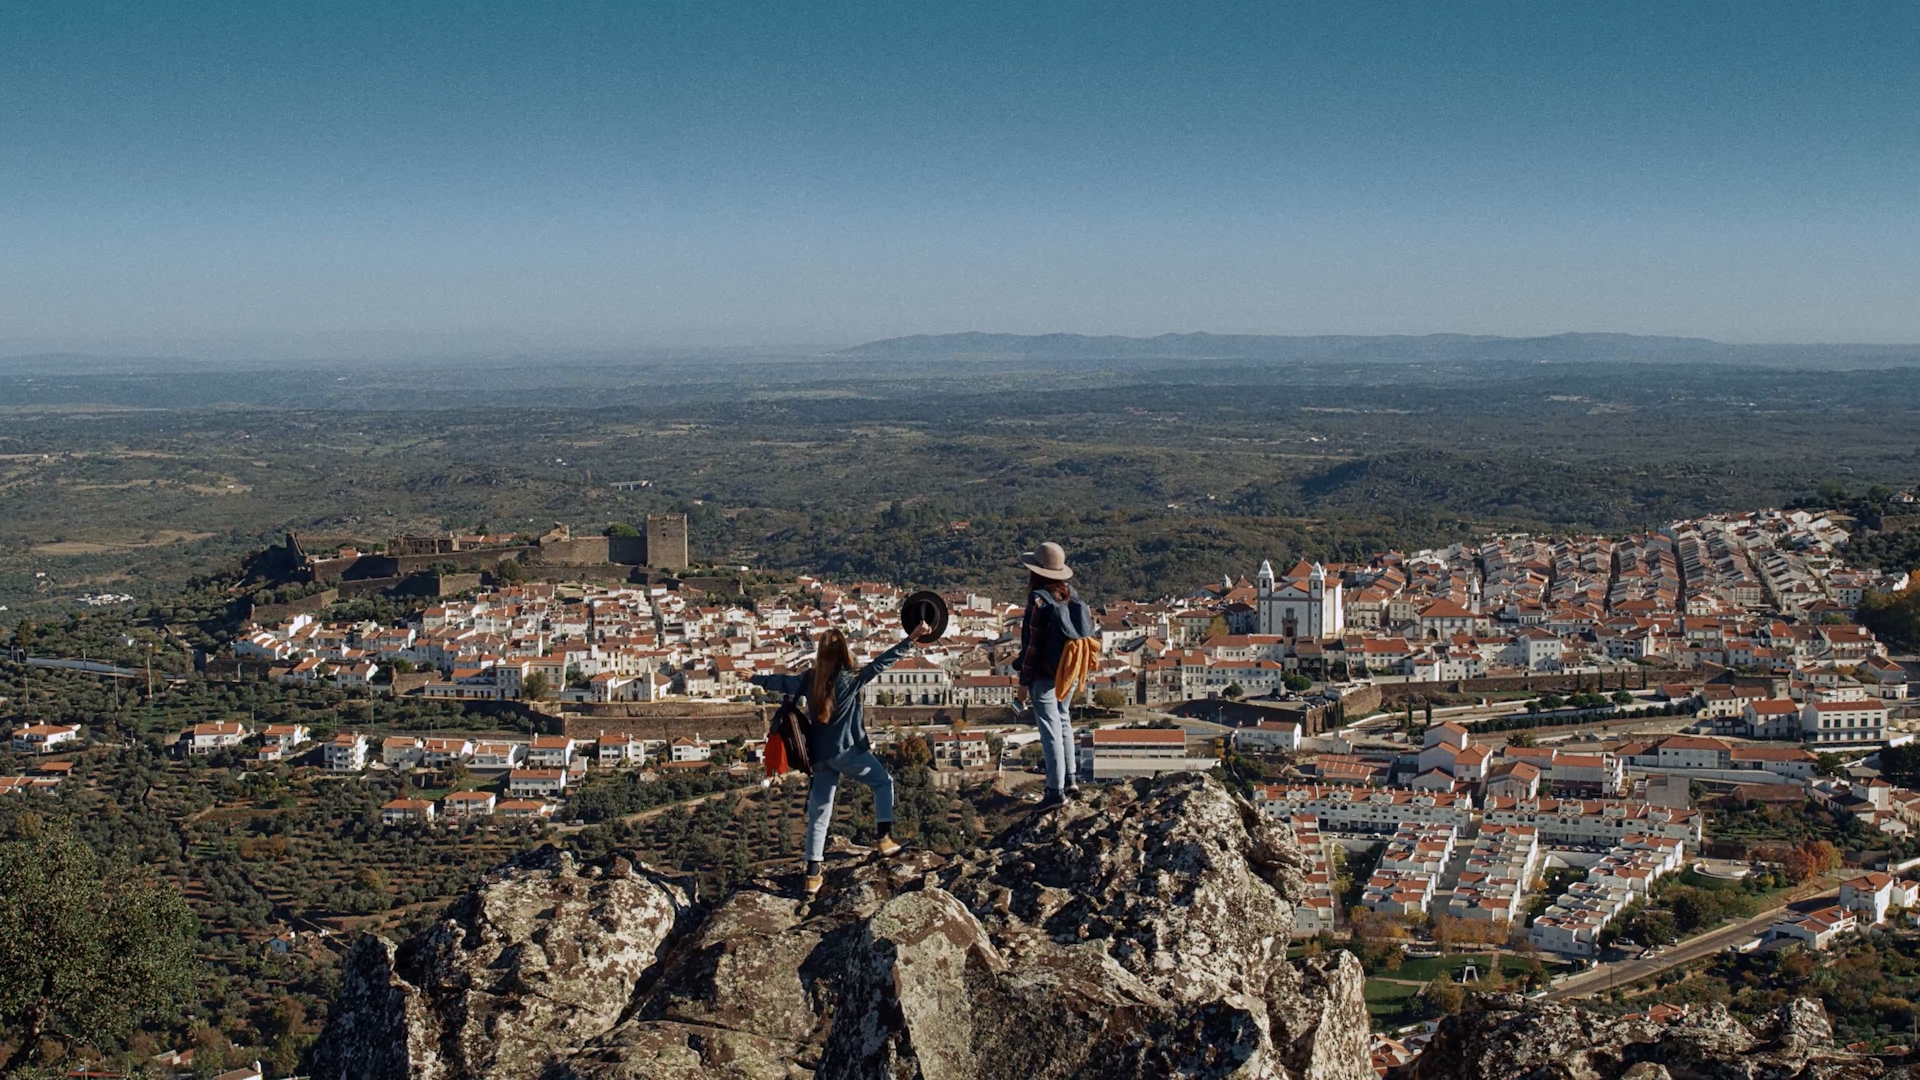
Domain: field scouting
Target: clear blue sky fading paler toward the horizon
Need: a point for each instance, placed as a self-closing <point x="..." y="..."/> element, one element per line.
<point x="339" y="176"/>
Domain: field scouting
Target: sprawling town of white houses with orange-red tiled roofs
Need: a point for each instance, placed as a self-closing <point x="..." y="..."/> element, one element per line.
<point x="1514" y="745"/>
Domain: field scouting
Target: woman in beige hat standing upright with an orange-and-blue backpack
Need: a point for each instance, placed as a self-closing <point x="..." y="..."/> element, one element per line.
<point x="1055" y="616"/>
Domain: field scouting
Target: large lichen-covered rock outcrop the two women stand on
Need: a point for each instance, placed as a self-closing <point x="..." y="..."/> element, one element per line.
<point x="1138" y="935"/>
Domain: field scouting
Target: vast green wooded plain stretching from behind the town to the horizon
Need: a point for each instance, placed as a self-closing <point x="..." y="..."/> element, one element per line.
<point x="1157" y="474"/>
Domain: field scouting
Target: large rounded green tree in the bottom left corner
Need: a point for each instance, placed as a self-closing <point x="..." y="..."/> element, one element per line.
<point x="85" y="956"/>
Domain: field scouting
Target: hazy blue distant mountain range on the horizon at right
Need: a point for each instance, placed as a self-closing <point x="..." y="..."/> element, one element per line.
<point x="1385" y="349"/>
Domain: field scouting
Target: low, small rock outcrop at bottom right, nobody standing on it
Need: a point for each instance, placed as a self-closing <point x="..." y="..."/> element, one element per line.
<point x="1510" y="1039"/>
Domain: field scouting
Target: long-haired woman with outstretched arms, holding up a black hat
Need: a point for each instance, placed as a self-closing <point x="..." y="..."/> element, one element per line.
<point x="838" y="741"/>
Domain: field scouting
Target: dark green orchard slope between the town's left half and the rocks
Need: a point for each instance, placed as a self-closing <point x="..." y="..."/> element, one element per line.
<point x="283" y="864"/>
